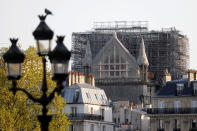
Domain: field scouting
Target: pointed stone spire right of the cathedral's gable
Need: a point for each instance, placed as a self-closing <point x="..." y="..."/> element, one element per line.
<point x="142" y="58"/>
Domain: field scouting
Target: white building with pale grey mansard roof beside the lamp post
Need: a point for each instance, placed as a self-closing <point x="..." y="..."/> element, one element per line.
<point x="87" y="108"/>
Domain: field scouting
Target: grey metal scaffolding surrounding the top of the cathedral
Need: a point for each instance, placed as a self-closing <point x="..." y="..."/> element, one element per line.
<point x="166" y="49"/>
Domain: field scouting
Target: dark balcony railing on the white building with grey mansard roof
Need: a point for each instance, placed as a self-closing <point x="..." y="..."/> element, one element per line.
<point x="82" y="116"/>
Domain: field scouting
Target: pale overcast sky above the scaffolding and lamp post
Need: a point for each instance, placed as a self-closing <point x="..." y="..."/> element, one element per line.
<point x="19" y="17"/>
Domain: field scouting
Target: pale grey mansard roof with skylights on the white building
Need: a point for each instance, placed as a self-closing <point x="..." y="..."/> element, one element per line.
<point x="85" y="94"/>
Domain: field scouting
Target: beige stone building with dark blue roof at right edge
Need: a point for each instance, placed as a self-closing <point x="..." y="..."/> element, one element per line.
<point x="175" y="106"/>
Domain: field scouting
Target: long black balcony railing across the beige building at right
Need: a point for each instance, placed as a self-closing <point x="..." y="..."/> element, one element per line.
<point x="172" y="111"/>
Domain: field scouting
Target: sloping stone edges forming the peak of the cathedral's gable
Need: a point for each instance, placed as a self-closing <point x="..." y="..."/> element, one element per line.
<point x="114" y="40"/>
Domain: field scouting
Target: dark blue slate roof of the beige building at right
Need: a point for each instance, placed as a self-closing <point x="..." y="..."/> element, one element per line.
<point x="169" y="89"/>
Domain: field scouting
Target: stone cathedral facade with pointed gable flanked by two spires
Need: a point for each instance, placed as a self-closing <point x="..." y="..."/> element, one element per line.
<point x="118" y="72"/>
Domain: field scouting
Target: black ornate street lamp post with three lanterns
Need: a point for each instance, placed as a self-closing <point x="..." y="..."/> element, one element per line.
<point x="59" y="58"/>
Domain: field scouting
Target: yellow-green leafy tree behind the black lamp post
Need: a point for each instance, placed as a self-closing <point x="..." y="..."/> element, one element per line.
<point x="18" y="112"/>
